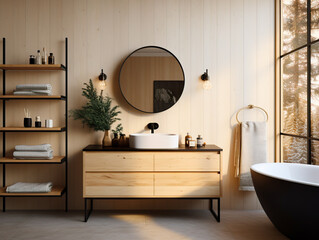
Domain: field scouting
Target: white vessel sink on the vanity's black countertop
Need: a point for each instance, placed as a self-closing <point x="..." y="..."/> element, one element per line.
<point x="153" y="141"/>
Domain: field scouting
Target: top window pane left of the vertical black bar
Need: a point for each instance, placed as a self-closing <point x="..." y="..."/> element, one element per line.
<point x="294" y="24"/>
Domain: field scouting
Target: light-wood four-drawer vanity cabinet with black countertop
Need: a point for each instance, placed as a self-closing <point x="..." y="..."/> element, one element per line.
<point x="171" y="173"/>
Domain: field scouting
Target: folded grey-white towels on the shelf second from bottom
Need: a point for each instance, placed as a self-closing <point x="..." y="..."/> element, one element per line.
<point x="42" y="151"/>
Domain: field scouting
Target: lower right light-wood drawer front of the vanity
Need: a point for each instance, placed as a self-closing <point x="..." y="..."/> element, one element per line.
<point x="187" y="184"/>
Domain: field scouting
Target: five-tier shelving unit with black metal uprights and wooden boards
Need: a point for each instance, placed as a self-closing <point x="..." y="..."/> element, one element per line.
<point x="57" y="191"/>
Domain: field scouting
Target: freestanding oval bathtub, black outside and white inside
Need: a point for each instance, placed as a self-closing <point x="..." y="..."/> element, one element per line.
<point x="289" y="194"/>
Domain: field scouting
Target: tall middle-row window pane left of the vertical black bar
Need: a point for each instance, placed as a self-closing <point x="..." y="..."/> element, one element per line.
<point x="294" y="93"/>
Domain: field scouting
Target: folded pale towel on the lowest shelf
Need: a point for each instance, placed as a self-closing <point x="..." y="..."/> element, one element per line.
<point x="21" y="187"/>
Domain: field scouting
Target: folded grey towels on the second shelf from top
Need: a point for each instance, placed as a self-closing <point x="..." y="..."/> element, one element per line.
<point x="33" y="89"/>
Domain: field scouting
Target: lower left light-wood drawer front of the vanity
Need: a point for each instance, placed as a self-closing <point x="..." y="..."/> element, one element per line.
<point x="118" y="184"/>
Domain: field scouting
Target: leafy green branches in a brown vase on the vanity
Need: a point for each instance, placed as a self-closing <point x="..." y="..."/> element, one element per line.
<point x="97" y="113"/>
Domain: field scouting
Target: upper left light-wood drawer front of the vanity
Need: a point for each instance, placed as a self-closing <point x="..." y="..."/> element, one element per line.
<point x="117" y="161"/>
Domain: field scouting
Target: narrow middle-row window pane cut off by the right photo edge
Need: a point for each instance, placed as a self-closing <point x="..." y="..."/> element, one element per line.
<point x="315" y="90"/>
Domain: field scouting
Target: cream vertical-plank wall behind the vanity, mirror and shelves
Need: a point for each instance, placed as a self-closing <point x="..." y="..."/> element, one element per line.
<point x="233" y="39"/>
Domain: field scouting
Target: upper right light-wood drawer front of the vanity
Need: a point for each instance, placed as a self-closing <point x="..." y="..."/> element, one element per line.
<point x="188" y="161"/>
